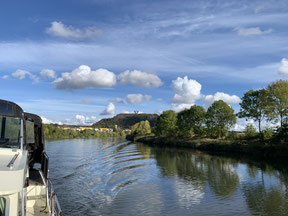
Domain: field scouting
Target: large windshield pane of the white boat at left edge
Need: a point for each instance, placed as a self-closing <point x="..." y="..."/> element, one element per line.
<point x="10" y="132"/>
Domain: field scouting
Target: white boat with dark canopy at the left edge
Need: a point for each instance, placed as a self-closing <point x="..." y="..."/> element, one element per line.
<point x="25" y="188"/>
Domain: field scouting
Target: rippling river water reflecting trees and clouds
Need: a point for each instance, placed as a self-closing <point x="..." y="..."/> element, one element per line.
<point x="110" y="176"/>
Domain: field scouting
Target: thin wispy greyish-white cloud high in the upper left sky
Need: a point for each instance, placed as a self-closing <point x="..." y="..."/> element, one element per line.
<point x="58" y="29"/>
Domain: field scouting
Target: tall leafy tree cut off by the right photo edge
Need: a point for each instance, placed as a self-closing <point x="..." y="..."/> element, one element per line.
<point x="278" y="95"/>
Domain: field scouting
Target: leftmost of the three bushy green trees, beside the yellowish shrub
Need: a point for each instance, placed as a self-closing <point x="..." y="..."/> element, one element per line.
<point x="166" y="123"/>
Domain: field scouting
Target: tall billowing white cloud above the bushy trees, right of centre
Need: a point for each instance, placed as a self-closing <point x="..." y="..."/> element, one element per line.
<point x="187" y="91"/>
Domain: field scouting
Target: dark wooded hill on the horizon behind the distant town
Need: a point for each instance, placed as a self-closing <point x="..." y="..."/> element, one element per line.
<point x="125" y="121"/>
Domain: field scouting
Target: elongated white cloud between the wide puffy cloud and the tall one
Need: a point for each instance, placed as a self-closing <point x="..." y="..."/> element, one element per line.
<point x="139" y="78"/>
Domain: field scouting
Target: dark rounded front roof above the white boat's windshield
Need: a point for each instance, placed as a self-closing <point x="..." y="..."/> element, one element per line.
<point x="10" y="109"/>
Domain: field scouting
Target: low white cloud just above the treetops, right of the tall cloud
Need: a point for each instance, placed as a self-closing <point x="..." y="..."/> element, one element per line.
<point x="229" y="99"/>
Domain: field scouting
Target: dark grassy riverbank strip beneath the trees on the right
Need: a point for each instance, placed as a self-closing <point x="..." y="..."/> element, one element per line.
<point x="248" y="147"/>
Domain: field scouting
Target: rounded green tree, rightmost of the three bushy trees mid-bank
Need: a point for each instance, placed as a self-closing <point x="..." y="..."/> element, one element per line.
<point x="220" y="118"/>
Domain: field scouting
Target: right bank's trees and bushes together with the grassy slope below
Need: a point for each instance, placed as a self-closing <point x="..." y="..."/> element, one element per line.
<point x="211" y="130"/>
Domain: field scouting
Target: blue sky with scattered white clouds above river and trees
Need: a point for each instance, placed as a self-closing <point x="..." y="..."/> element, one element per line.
<point x="78" y="61"/>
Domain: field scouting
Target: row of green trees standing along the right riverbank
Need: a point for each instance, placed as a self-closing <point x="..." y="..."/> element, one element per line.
<point x="269" y="104"/>
